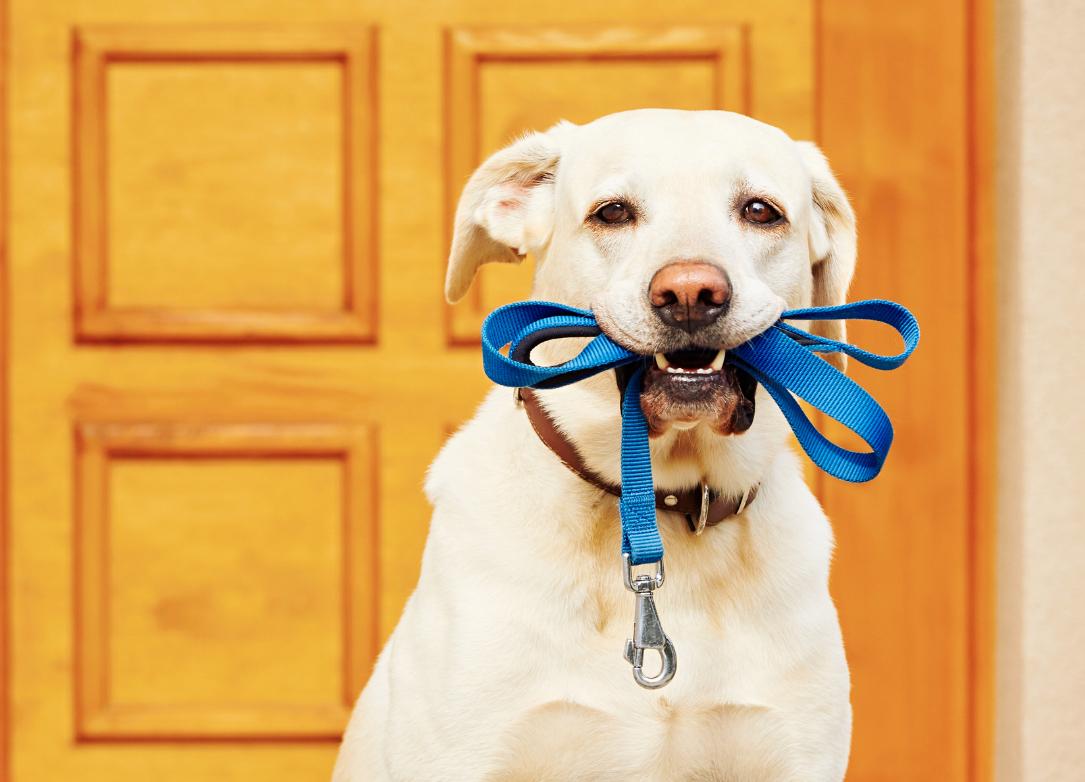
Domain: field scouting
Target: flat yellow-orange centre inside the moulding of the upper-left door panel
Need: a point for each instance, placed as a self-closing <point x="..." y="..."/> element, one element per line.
<point x="182" y="181"/>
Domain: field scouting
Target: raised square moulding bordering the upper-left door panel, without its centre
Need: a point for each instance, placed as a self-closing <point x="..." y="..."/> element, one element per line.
<point x="350" y="47"/>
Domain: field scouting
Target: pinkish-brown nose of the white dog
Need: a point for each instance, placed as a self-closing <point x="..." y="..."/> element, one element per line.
<point x="691" y="296"/>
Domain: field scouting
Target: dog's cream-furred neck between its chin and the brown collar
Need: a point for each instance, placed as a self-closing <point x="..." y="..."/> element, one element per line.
<point x="589" y="414"/>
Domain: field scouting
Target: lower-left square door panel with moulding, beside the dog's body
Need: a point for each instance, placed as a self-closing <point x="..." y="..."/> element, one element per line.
<point x="224" y="579"/>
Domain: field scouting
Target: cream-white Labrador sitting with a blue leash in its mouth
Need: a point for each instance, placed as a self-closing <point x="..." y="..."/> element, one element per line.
<point x="686" y="234"/>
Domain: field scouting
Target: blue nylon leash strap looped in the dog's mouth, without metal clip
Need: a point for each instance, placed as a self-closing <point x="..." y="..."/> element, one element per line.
<point x="783" y="360"/>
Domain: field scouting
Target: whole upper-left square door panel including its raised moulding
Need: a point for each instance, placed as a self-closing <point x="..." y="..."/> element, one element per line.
<point x="216" y="165"/>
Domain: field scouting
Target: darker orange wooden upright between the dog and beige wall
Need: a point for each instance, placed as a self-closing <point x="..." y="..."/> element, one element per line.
<point x="899" y="120"/>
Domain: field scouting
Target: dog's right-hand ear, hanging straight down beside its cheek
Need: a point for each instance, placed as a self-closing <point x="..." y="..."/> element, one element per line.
<point x="833" y="243"/>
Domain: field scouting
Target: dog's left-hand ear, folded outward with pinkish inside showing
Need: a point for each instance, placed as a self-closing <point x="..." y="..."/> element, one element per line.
<point x="506" y="210"/>
